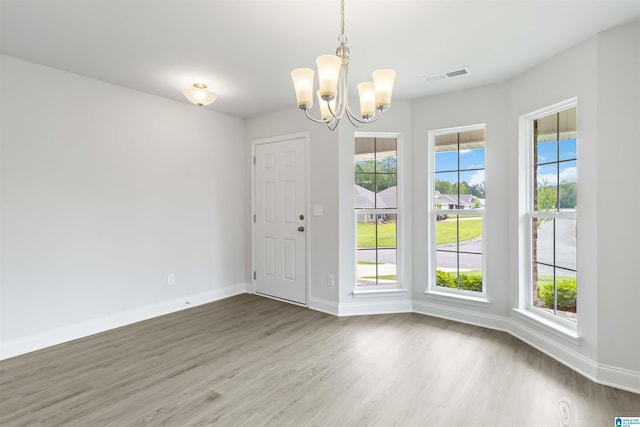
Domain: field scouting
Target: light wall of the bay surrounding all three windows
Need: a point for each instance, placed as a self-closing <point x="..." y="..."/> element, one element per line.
<point x="608" y="104"/>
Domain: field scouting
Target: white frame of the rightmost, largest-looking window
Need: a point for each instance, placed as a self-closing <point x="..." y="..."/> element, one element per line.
<point x="539" y="316"/>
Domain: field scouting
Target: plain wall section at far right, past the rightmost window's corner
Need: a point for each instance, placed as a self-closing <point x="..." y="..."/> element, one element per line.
<point x="618" y="235"/>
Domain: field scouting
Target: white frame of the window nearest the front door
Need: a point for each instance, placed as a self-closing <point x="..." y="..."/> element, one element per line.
<point x="367" y="288"/>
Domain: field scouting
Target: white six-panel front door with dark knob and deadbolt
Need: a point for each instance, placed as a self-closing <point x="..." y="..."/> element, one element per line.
<point x="280" y="235"/>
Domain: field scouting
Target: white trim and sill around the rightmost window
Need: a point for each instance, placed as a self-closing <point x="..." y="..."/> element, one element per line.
<point x="552" y="323"/>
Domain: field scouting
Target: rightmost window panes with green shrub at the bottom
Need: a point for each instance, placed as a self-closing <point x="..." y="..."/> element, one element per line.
<point x="553" y="214"/>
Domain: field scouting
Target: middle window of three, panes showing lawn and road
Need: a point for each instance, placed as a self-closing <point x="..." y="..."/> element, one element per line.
<point x="457" y="213"/>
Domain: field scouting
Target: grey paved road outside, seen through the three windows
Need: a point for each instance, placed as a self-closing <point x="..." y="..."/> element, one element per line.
<point x="565" y="250"/>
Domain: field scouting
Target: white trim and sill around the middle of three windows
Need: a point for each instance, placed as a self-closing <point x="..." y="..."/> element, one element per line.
<point x="433" y="291"/>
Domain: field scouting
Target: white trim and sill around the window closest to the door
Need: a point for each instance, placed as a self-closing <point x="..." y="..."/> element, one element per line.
<point x="396" y="288"/>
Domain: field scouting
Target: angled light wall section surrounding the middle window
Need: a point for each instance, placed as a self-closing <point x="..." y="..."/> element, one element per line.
<point x="470" y="107"/>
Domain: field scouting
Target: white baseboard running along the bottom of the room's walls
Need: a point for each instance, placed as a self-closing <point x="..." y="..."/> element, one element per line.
<point x="623" y="379"/>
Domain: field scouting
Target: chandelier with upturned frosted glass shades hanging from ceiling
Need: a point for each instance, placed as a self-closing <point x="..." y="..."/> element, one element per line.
<point x="333" y="94"/>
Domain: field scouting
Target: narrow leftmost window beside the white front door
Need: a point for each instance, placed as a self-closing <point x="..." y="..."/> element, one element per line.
<point x="376" y="210"/>
